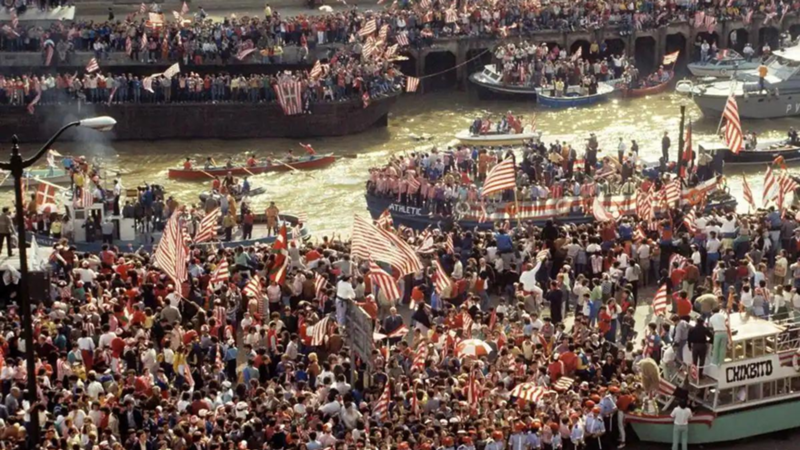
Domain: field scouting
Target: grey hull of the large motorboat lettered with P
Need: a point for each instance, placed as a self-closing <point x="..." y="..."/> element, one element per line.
<point x="752" y="106"/>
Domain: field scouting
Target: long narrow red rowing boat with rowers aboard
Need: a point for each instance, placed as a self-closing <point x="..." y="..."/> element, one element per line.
<point x="301" y="163"/>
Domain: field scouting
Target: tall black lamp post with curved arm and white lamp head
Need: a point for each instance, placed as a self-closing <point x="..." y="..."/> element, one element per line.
<point x="16" y="166"/>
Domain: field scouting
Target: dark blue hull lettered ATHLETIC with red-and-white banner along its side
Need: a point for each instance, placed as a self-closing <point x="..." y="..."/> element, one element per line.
<point x="563" y="210"/>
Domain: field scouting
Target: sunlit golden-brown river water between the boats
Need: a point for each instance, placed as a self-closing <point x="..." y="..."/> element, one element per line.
<point x="330" y="197"/>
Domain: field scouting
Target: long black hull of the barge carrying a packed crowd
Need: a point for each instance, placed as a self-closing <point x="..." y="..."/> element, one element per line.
<point x="205" y="120"/>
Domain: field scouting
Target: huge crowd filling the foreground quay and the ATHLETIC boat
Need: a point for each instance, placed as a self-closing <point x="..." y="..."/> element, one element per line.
<point x="235" y="355"/>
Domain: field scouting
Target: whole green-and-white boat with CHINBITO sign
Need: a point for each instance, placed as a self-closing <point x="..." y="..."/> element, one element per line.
<point x="755" y="391"/>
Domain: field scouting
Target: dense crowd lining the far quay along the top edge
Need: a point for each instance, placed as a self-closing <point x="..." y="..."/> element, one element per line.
<point x="195" y="38"/>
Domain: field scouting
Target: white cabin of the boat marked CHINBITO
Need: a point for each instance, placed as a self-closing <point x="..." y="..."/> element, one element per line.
<point x="761" y="366"/>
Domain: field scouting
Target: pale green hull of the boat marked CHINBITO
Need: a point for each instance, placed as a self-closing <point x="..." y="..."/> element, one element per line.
<point x="727" y="427"/>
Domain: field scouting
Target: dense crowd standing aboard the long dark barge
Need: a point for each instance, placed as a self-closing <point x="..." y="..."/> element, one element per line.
<point x="346" y="77"/>
